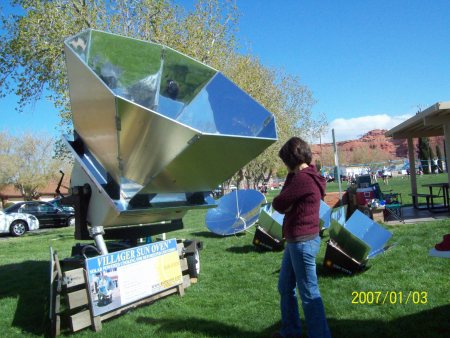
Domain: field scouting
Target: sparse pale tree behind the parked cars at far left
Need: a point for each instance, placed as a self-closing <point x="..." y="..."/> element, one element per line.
<point x="31" y="167"/>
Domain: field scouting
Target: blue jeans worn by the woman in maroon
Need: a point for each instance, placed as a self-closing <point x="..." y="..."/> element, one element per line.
<point x="298" y="268"/>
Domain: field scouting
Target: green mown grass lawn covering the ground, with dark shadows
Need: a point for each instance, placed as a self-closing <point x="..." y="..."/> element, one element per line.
<point x="236" y="295"/>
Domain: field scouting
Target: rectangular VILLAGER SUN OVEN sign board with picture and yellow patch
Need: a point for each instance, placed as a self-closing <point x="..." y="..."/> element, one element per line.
<point x="126" y="276"/>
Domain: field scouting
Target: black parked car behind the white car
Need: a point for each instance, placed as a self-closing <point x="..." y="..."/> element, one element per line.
<point x="47" y="214"/>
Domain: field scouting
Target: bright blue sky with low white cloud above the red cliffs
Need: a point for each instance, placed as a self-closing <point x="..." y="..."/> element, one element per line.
<point x="369" y="64"/>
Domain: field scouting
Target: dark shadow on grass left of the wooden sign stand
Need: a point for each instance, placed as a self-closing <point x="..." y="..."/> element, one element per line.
<point x="28" y="282"/>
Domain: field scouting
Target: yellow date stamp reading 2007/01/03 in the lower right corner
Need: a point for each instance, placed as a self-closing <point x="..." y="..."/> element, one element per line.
<point x="389" y="297"/>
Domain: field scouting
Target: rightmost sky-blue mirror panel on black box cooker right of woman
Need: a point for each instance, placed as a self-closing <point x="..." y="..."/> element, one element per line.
<point x="368" y="231"/>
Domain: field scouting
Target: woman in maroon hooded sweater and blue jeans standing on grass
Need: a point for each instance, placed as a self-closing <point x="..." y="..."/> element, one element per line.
<point x="299" y="200"/>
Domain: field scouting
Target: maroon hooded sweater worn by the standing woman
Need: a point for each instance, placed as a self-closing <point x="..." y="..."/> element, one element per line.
<point x="302" y="190"/>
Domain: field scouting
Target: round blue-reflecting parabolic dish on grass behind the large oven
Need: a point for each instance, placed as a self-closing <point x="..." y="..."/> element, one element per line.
<point x="236" y="212"/>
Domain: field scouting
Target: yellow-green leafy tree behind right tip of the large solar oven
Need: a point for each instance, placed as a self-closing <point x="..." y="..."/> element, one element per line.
<point x="284" y="96"/>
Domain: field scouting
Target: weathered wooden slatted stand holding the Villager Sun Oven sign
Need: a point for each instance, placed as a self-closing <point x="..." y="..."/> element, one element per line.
<point x="69" y="296"/>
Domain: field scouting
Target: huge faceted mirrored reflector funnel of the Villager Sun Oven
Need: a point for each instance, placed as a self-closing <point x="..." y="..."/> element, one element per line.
<point x="157" y="120"/>
